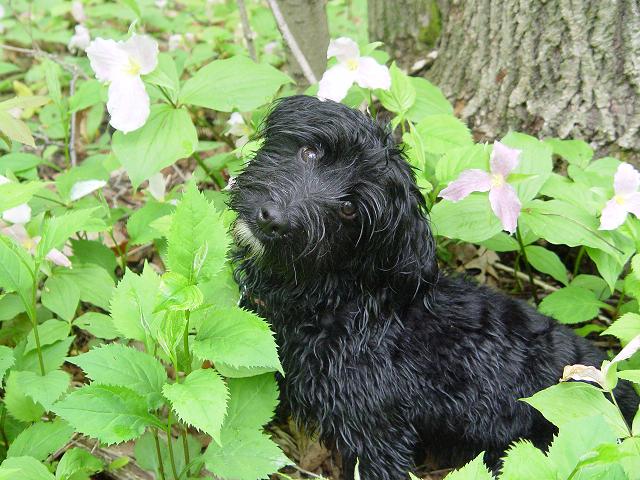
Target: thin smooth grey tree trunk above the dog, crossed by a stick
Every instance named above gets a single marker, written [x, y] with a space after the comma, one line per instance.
[307, 20]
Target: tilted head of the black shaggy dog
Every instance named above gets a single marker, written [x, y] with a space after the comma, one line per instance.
[329, 191]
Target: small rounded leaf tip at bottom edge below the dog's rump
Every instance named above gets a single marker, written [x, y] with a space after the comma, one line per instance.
[525, 462]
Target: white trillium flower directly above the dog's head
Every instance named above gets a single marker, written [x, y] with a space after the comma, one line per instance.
[351, 68]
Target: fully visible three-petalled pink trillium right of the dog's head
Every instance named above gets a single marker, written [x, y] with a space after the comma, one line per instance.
[502, 196]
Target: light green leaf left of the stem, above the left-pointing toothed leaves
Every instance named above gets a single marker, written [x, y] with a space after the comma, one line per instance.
[133, 304]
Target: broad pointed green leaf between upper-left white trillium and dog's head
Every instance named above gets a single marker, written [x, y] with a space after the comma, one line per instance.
[234, 83]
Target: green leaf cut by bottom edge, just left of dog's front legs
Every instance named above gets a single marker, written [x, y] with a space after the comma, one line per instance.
[244, 455]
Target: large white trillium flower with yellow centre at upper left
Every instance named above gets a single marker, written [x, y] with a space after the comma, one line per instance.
[121, 64]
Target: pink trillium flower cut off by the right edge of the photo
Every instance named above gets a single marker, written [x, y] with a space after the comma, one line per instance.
[626, 198]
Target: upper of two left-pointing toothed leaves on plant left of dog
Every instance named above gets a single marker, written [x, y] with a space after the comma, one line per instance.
[116, 364]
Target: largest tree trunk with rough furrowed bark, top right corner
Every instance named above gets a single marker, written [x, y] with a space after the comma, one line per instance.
[566, 68]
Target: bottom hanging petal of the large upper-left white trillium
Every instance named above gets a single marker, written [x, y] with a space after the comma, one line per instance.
[128, 103]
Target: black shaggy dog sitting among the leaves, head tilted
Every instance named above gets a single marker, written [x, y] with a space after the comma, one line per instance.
[384, 356]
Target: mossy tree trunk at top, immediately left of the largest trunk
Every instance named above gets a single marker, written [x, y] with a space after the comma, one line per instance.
[408, 28]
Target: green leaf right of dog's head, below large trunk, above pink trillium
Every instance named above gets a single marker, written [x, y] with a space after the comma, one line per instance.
[441, 133]
